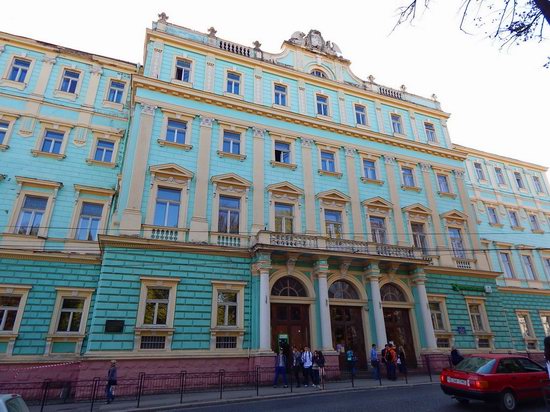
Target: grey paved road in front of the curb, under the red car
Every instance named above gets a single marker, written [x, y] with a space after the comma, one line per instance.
[427, 398]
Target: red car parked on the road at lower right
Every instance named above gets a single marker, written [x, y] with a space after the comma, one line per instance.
[503, 379]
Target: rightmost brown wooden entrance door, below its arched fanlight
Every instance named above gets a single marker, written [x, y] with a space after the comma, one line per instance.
[398, 330]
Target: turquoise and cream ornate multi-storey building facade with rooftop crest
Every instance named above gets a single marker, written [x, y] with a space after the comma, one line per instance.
[220, 199]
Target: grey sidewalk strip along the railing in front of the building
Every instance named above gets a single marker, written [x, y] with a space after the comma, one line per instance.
[172, 401]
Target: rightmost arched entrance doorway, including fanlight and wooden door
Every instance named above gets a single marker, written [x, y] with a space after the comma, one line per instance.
[396, 309]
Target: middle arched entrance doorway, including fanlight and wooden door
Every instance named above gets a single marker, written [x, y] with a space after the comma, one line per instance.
[346, 318]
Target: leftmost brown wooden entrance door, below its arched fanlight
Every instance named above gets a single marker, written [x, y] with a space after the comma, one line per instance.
[292, 320]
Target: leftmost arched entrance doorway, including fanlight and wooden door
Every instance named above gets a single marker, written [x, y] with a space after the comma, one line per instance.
[289, 313]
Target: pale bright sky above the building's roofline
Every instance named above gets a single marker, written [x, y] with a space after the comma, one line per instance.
[498, 99]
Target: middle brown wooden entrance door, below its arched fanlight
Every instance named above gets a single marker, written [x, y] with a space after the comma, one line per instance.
[347, 331]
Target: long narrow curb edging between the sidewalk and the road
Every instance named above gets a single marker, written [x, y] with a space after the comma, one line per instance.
[198, 404]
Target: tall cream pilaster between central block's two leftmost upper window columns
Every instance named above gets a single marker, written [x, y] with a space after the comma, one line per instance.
[198, 230]
